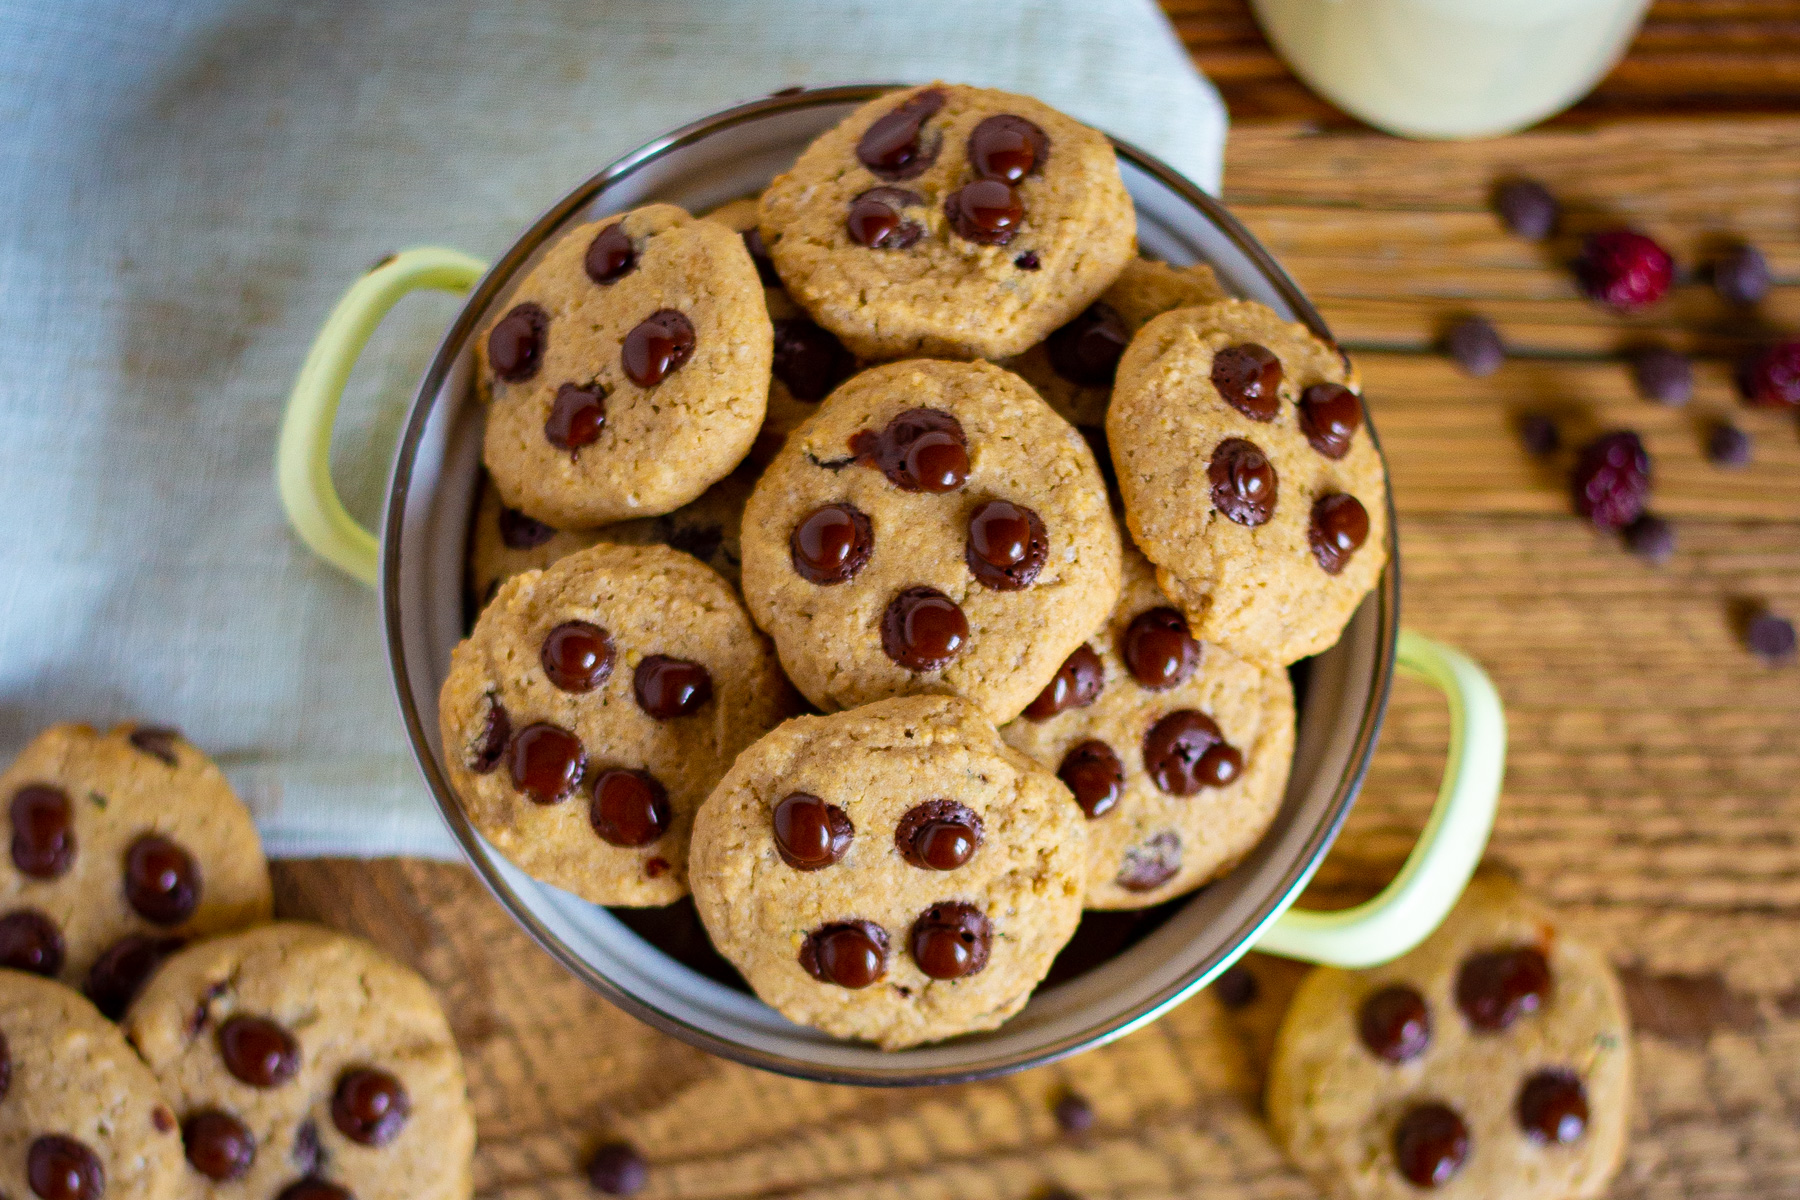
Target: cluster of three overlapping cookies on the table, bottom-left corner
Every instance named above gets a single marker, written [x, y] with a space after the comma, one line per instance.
[249, 1059]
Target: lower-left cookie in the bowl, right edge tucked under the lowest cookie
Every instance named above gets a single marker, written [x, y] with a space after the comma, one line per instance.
[593, 710]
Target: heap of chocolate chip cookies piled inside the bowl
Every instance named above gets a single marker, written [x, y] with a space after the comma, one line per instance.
[1032, 524]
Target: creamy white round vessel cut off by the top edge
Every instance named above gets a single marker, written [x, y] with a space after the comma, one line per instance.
[1452, 67]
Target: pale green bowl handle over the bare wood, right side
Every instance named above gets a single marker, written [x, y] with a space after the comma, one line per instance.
[1448, 850]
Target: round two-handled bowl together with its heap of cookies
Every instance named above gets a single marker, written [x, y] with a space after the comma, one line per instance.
[892, 586]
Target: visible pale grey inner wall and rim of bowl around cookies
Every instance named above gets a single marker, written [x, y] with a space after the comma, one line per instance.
[429, 512]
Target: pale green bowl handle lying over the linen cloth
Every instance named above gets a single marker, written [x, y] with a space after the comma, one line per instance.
[303, 458]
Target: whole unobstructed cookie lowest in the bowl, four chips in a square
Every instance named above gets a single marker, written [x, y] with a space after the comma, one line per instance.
[894, 873]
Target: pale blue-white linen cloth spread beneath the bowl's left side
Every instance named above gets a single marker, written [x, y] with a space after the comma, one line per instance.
[188, 188]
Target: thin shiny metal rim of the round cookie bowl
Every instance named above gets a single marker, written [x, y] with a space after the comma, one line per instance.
[471, 843]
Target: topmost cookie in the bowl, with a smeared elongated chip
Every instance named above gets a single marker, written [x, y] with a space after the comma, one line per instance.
[949, 222]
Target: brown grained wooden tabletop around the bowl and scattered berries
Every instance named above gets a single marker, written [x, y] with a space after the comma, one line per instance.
[1655, 776]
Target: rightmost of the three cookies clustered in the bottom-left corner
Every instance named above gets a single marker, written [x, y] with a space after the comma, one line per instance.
[307, 1066]
